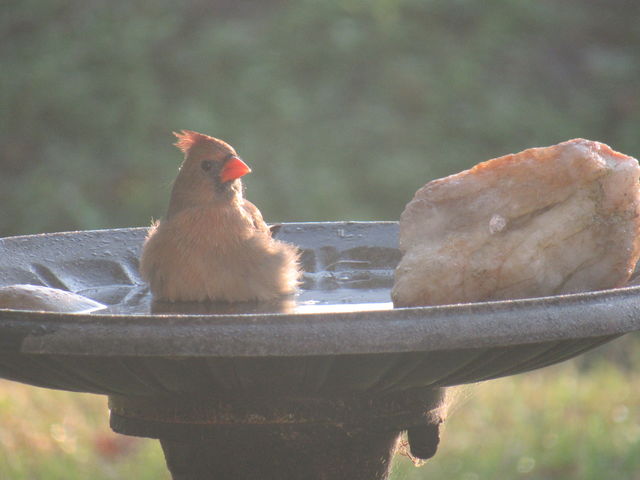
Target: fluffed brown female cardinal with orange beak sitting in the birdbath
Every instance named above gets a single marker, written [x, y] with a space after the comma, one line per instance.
[214, 244]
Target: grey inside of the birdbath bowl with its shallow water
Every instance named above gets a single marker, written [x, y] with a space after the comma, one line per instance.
[347, 267]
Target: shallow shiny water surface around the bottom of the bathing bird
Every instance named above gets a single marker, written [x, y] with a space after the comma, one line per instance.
[136, 300]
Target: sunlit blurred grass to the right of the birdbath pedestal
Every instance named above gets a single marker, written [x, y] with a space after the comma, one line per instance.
[576, 420]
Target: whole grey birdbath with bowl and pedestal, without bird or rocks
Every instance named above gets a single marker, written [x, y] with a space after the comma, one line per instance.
[318, 386]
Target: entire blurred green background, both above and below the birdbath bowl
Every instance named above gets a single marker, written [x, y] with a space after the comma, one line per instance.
[343, 109]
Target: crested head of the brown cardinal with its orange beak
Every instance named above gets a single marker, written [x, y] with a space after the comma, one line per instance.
[210, 172]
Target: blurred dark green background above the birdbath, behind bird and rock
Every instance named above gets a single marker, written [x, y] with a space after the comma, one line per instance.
[342, 108]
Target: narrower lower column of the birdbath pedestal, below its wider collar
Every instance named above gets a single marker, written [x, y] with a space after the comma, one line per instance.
[316, 453]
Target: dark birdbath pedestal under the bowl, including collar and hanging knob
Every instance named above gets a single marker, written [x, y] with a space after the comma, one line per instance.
[264, 437]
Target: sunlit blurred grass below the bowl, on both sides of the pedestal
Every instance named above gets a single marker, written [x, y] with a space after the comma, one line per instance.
[577, 420]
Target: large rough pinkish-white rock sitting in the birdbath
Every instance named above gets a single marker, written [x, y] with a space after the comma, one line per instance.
[545, 221]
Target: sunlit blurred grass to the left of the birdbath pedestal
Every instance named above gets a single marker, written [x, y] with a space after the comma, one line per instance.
[54, 435]
